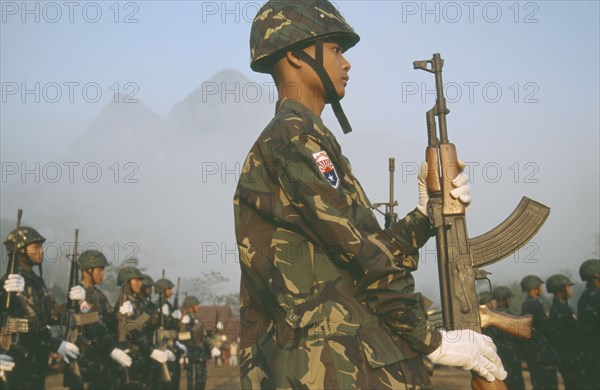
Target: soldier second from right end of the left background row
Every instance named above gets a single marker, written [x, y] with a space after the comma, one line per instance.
[171, 316]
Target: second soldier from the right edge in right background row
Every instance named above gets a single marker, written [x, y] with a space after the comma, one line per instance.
[563, 333]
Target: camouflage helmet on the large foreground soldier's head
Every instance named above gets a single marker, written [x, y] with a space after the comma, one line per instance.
[282, 25]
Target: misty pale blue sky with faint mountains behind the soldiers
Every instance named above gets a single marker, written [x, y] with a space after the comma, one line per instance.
[522, 83]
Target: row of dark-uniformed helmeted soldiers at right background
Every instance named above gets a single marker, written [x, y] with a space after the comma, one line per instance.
[563, 340]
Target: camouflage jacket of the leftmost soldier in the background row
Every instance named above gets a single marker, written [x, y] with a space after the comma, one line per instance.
[36, 305]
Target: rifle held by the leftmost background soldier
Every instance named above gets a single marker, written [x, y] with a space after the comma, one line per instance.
[11, 326]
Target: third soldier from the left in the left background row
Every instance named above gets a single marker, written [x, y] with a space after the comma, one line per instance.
[133, 322]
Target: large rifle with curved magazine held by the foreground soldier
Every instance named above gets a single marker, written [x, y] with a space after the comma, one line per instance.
[460, 258]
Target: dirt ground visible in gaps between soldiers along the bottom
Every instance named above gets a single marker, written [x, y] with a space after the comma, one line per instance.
[227, 378]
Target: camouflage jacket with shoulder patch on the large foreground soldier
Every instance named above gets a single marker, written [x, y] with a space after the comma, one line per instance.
[320, 278]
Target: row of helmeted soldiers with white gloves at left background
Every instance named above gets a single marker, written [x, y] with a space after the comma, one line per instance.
[137, 343]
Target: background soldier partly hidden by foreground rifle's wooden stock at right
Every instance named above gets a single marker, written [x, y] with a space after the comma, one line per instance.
[507, 345]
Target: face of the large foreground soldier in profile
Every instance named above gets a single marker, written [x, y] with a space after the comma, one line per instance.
[336, 66]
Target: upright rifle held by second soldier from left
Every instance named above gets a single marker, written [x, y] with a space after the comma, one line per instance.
[72, 375]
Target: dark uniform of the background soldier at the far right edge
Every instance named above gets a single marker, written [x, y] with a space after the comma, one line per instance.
[588, 311]
